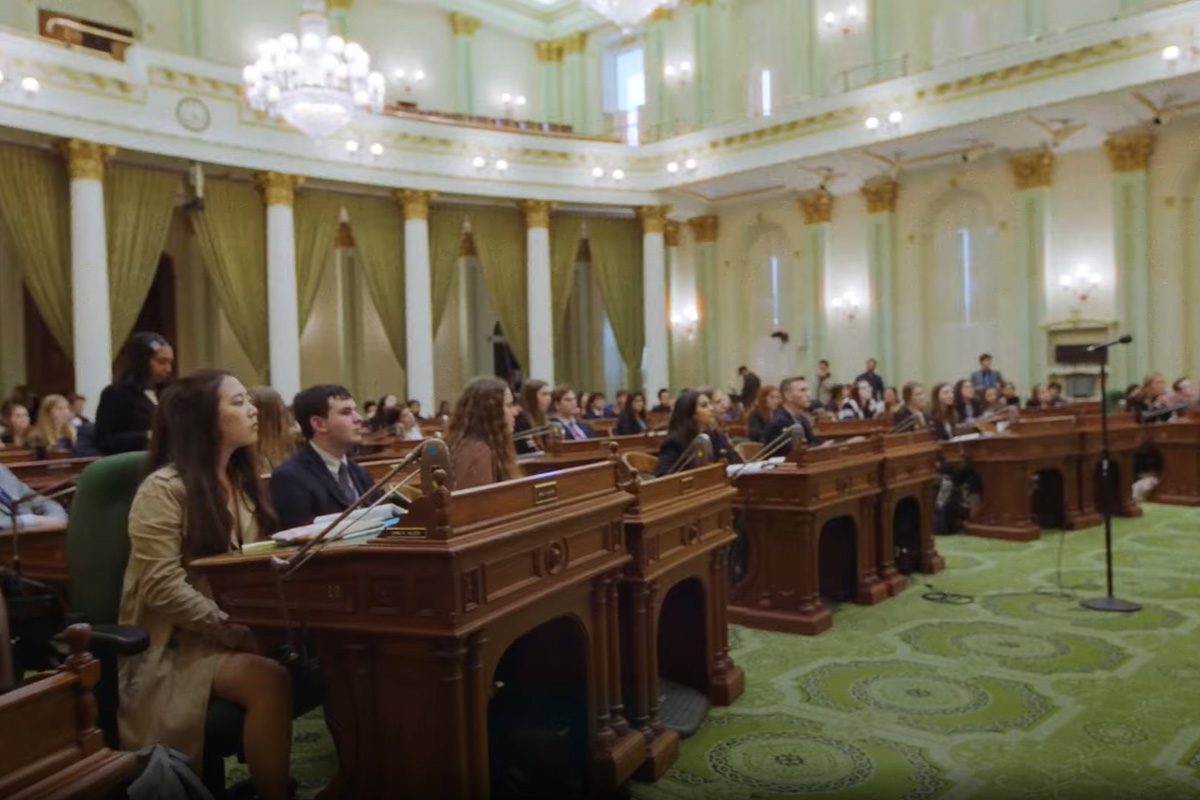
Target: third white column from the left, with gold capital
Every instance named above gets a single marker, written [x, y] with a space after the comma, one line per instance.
[418, 297]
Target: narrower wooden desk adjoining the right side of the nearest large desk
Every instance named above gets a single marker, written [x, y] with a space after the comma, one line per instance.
[674, 599]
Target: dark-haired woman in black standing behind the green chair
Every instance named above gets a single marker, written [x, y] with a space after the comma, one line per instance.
[127, 407]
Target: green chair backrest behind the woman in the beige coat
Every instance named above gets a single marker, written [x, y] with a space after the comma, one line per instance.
[99, 536]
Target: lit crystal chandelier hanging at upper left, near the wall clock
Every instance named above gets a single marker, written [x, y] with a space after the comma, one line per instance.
[315, 82]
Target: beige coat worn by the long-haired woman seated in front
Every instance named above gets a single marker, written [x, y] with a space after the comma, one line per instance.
[165, 691]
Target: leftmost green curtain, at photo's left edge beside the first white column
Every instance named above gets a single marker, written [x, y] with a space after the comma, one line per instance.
[35, 203]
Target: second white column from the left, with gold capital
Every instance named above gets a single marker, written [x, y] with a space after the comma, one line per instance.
[283, 312]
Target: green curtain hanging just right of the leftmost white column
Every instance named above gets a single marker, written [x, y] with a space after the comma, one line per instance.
[140, 204]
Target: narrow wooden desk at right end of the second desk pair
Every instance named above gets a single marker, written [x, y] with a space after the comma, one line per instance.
[909, 478]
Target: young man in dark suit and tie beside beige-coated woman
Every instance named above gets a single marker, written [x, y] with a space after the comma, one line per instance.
[321, 479]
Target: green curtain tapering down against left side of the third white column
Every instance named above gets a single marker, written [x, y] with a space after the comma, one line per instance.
[379, 228]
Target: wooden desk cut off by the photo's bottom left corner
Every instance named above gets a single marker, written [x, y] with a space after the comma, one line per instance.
[50, 744]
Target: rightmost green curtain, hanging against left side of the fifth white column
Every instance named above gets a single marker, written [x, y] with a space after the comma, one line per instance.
[616, 249]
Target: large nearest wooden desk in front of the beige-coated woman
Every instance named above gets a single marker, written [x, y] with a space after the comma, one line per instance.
[436, 639]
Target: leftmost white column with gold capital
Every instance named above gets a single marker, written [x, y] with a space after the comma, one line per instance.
[91, 315]
